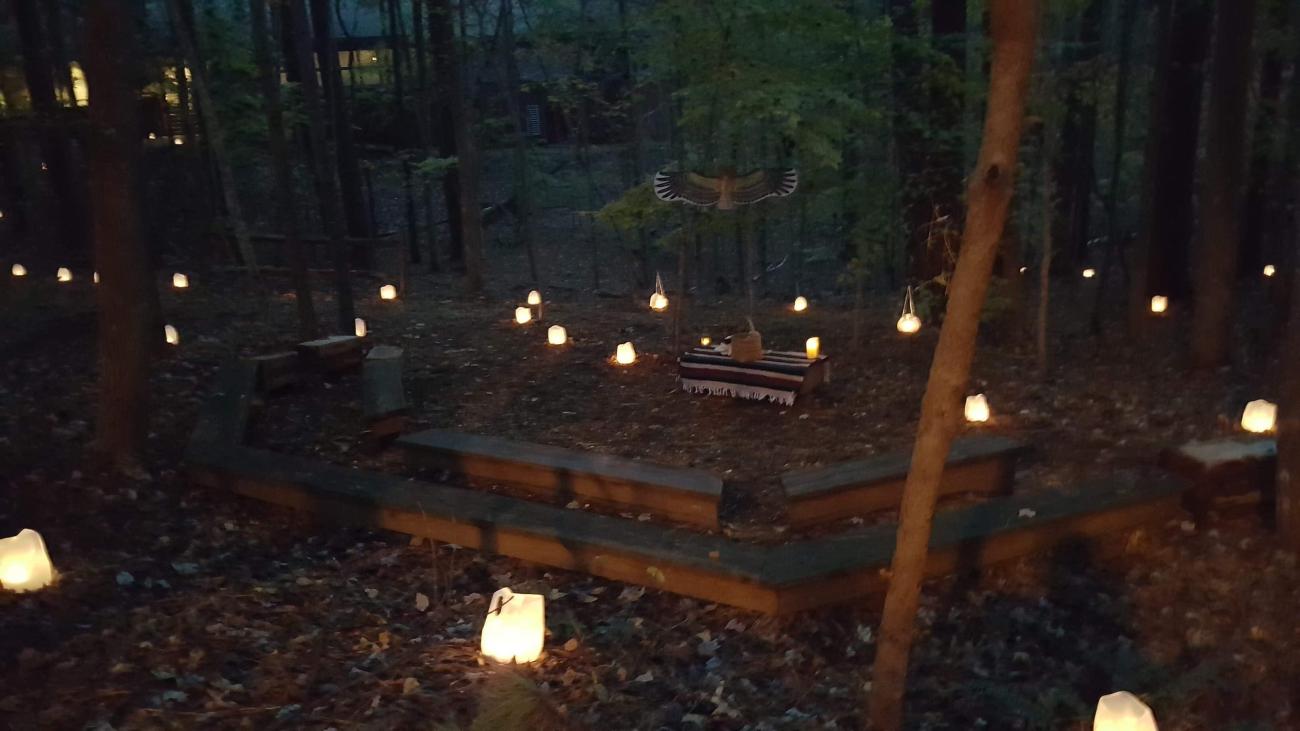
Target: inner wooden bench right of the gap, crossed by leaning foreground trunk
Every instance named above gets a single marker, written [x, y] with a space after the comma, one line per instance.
[982, 465]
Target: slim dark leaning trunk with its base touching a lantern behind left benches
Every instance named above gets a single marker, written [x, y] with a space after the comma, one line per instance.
[324, 166]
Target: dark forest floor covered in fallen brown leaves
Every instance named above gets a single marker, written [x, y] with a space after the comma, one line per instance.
[181, 608]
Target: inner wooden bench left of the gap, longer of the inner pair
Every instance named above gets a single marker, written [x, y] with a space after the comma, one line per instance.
[562, 475]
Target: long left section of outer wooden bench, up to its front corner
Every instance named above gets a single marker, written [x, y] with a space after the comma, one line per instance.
[707, 566]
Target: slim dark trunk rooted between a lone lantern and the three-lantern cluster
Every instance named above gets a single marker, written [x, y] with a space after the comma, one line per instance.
[450, 92]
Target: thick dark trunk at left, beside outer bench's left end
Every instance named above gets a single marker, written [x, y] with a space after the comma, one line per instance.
[128, 296]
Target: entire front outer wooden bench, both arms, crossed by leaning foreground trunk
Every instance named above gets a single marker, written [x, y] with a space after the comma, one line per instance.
[769, 579]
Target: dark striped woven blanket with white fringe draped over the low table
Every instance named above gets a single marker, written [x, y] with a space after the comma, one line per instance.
[781, 377]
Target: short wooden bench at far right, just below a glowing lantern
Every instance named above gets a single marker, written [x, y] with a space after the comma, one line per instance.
[1225, 474]
